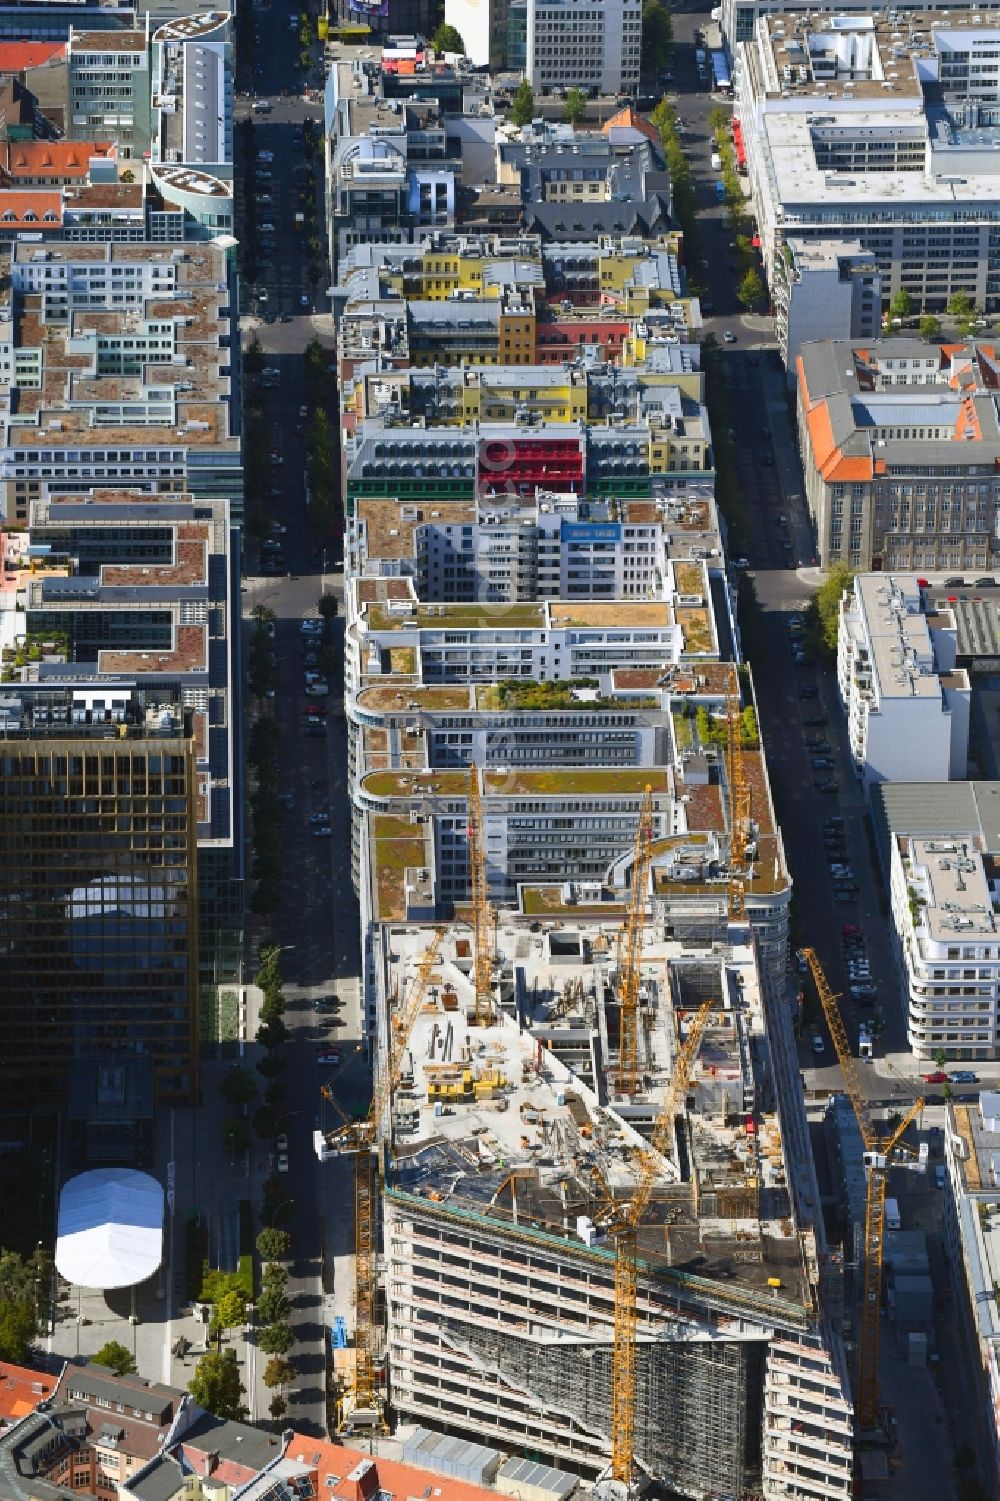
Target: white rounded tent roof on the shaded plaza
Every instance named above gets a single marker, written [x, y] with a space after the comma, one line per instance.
[110, 1229]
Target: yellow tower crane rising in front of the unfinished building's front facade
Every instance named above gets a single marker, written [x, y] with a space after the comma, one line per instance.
[622, 1223]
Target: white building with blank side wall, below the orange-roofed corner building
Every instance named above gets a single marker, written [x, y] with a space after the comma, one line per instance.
[906, 703]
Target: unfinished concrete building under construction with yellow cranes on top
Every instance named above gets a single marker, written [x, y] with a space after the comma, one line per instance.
[580, 1099]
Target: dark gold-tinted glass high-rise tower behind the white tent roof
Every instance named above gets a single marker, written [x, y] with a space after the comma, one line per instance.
[98, 891]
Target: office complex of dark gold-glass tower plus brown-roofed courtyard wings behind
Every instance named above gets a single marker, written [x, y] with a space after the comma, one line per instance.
[121, 643]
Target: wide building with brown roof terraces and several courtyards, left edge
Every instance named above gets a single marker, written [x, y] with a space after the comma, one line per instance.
[119, 361]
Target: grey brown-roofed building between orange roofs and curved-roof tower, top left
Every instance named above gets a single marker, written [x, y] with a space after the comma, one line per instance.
[110, 88]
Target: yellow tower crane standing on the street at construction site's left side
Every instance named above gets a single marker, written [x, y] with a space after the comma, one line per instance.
[361, 1140]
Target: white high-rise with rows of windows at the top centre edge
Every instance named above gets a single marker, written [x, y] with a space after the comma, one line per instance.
[583, 44]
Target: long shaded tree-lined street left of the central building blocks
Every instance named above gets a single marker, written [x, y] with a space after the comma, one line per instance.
[318, 924]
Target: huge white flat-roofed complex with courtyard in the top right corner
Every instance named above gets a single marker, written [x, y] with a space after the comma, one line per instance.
[872, 128]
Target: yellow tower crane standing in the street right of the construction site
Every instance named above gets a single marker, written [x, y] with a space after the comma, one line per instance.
[879, 1157]
